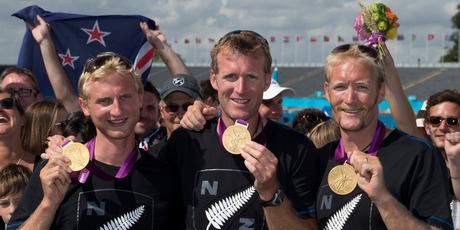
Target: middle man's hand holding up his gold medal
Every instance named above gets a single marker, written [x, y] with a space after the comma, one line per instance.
[263, 165]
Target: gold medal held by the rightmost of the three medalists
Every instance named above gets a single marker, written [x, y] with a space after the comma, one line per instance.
[342, 179]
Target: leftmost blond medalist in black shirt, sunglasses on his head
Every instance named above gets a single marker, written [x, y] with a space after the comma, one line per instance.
[123, 185]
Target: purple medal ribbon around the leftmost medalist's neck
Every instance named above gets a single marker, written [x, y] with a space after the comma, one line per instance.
[91, 167]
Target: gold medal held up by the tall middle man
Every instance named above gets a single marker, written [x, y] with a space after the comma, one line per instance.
[236, 137]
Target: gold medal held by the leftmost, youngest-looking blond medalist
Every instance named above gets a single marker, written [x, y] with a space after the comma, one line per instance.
[78, 155]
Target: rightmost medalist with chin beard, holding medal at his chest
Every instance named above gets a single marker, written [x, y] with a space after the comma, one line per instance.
[394, 179]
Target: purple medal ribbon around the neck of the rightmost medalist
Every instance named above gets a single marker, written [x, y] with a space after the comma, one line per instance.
[379, 135]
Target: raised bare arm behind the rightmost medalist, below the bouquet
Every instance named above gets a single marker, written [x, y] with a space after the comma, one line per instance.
[401, 110]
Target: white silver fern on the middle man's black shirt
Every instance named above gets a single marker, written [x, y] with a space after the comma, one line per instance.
[224, 209]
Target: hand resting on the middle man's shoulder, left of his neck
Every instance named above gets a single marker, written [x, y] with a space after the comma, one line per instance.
[196, 116]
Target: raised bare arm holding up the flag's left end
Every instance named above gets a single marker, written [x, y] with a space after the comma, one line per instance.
[59, 79]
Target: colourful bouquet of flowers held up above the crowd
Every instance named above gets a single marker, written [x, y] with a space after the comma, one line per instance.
[376, 21]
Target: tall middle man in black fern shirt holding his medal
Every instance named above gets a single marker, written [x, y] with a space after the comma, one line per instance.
[248, 190]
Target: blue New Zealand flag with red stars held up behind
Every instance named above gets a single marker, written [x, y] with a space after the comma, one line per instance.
[79, 37]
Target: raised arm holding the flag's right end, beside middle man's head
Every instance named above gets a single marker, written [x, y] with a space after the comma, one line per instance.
[157, 39]
